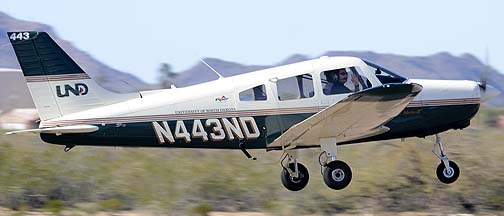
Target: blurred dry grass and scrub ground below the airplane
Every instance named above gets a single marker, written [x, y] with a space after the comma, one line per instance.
[389, 176]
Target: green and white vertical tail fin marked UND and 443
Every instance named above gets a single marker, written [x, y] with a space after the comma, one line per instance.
[57, 84]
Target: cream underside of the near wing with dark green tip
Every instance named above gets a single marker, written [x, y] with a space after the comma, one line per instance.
[360, 115]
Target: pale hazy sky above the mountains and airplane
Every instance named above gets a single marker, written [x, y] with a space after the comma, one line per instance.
[136, 36]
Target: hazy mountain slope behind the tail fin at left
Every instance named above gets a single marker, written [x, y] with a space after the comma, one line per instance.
[106, 76]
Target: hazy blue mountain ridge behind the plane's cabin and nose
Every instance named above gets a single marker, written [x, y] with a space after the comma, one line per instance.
[441, 65]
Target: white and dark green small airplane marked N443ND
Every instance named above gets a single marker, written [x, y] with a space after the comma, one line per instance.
[320, 103]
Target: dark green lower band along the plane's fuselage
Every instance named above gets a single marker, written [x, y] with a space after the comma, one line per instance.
[420, 121]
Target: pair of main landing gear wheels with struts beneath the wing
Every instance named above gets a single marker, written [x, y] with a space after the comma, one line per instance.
[336, 174]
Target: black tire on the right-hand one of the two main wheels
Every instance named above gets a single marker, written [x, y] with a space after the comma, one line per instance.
[337, 175]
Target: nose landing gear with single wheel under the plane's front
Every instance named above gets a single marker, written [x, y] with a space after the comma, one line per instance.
[447, 171]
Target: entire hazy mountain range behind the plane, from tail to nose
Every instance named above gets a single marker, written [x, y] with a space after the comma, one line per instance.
[14, 93]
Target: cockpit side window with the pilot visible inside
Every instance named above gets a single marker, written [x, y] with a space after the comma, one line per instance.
[343, 80]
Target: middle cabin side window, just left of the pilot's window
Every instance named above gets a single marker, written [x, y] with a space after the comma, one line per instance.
[296, 87]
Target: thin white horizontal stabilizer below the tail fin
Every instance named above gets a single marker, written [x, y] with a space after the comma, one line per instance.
[58, 130]
